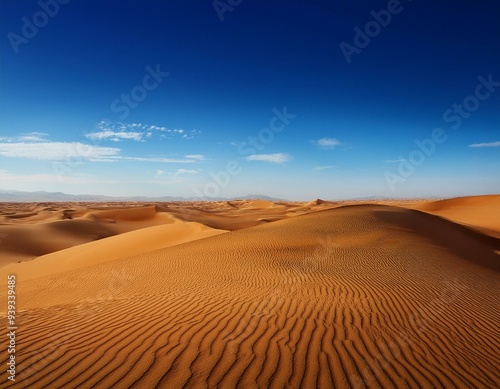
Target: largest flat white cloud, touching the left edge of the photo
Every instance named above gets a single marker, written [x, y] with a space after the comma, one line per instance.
[56, 151]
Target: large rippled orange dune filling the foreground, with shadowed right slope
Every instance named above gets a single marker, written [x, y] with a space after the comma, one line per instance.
[359, 296]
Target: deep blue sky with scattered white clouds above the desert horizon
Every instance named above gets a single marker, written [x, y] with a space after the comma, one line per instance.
[296, 100]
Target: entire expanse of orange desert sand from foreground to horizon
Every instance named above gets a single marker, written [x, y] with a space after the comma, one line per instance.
[255, 294]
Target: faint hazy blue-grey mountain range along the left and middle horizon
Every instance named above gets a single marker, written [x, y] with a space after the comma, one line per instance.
[47, 197]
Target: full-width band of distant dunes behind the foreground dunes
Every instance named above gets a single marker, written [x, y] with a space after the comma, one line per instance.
[35, 230]
